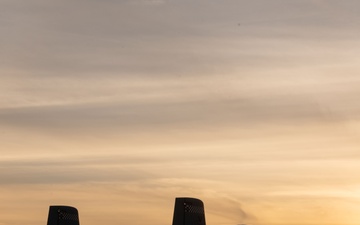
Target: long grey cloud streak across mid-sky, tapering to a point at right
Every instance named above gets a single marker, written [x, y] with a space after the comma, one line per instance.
[168, 114]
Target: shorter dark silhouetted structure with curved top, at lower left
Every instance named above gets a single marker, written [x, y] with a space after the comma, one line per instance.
[63, 215]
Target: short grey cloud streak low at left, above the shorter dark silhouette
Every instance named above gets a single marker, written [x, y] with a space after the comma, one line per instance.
[67, 171]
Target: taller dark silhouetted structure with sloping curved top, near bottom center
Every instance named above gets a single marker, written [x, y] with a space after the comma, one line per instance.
[189, 211]
